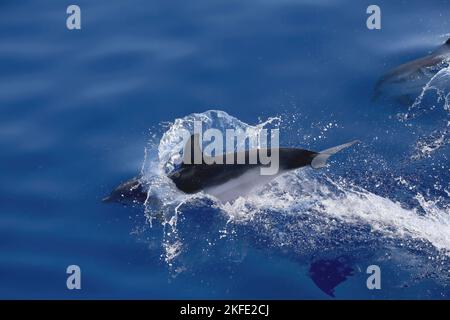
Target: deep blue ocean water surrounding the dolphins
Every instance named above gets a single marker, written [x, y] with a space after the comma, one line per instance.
[78, 109]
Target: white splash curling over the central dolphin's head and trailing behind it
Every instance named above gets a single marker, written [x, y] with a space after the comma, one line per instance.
[298, 196]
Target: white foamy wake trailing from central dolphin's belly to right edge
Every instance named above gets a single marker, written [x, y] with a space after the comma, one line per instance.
[303, 192]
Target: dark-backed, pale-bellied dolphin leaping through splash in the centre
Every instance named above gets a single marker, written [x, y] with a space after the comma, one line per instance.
[225, 181]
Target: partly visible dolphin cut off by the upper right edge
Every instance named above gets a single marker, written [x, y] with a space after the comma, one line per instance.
[406, 81]
